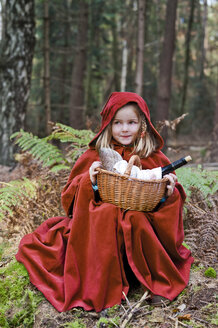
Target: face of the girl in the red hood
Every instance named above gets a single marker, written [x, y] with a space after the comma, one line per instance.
[126, 125]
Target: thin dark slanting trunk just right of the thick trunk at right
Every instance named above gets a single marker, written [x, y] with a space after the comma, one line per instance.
[187, 57]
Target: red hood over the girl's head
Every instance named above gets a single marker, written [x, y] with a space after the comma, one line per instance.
[117, 100]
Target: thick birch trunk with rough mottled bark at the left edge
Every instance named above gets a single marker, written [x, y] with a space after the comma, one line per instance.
[16, 53]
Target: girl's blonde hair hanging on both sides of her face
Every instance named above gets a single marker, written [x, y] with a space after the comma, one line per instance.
[143, 146]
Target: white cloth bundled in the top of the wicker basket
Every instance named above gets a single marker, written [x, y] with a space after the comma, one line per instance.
[156, 173]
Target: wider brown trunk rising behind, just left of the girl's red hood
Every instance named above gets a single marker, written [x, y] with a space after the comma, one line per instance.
[77, 90]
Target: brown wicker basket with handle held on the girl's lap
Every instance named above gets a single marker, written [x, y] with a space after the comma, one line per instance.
[130, 193]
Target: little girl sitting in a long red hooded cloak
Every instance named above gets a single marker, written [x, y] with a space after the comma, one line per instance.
[88, 259]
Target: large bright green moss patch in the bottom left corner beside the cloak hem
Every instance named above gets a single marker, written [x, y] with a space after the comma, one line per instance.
[18, 302]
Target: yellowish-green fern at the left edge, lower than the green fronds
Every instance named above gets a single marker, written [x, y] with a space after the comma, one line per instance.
[13, 193]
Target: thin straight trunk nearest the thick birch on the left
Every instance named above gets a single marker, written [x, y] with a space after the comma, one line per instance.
[47, 92]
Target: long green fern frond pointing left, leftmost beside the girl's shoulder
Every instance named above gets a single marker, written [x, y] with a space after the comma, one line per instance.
[40, 149]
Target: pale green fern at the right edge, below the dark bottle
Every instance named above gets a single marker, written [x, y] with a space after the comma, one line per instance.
[205, 181]
